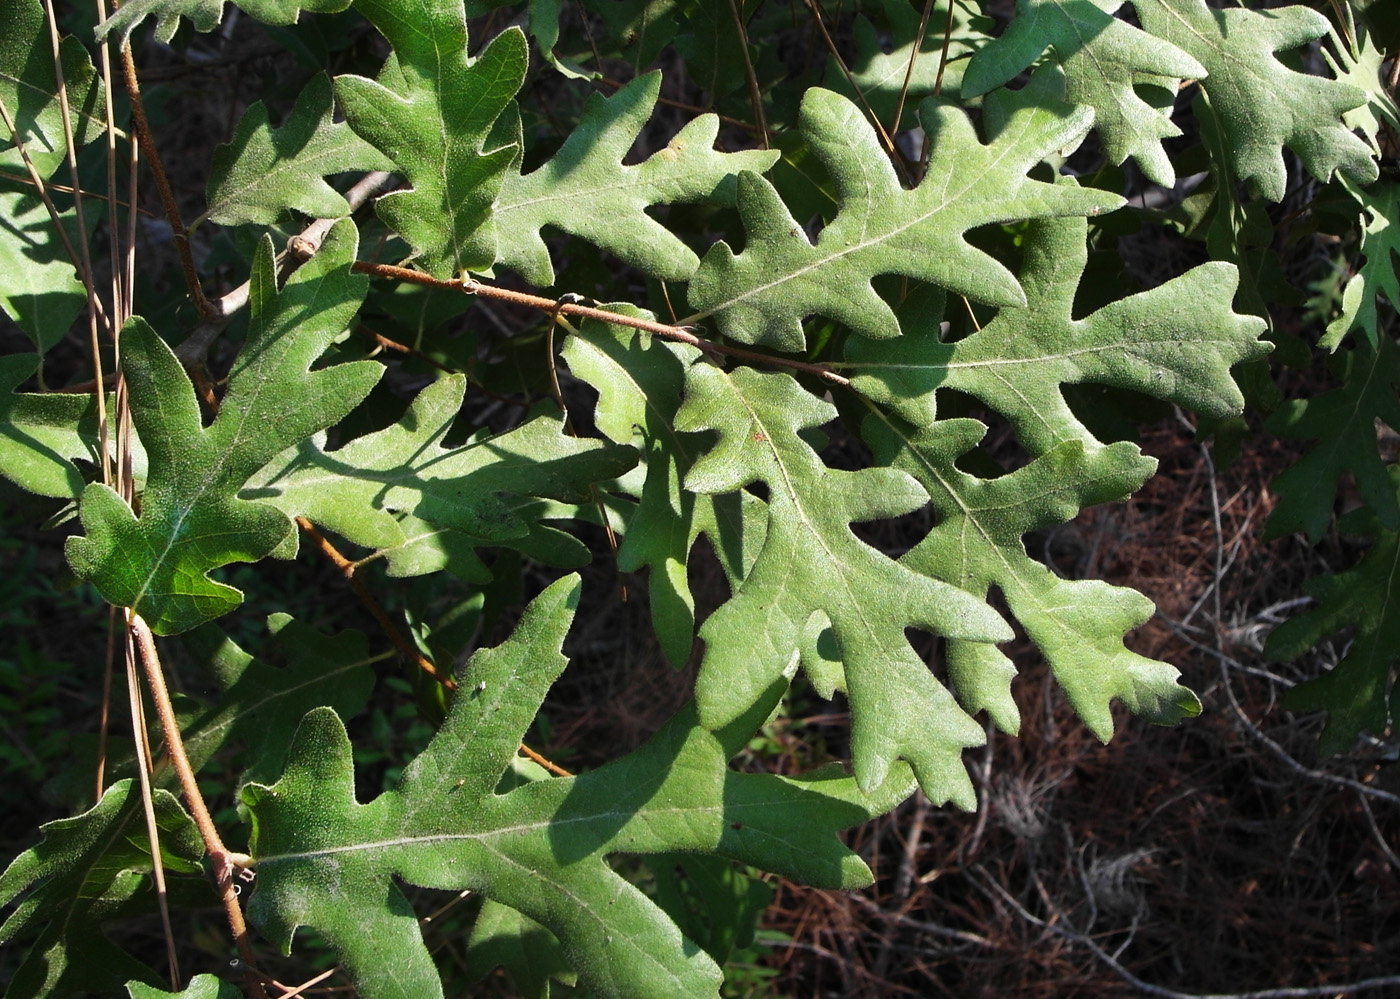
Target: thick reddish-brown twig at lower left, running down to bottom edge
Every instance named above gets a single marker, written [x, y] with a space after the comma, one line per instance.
[223, 860]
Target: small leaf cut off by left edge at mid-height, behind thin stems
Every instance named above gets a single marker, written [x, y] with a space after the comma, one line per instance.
[40, 434]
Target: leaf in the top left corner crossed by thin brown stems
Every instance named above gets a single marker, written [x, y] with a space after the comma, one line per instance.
[30, 90]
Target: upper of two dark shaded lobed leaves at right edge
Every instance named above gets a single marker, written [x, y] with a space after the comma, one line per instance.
[1345, 423]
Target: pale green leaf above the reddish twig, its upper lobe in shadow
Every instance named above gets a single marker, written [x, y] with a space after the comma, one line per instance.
[587, 192]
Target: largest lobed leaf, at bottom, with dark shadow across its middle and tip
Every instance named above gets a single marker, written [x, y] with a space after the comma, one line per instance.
[328, 863]
